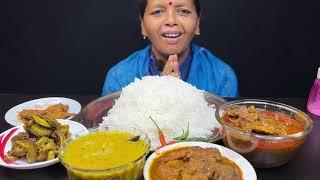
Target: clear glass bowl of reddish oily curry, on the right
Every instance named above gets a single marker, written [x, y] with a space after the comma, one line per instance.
[266, 133]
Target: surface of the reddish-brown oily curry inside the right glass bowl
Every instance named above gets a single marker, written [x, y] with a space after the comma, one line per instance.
[251, 119]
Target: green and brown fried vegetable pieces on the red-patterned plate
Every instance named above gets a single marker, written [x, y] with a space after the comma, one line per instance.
[38, 143]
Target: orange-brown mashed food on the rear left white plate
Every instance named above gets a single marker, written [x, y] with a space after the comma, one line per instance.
[56, 111]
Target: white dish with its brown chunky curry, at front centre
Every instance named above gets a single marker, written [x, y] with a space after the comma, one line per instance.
[194, 162]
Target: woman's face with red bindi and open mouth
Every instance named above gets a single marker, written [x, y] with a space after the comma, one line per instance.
[170, 25]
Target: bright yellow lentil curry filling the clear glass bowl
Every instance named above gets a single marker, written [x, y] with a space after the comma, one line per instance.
[103, 150]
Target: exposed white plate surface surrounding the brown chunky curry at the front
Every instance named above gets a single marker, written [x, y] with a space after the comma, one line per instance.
[248, 171]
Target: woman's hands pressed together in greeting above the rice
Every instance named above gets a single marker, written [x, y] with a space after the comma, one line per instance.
[171, 68]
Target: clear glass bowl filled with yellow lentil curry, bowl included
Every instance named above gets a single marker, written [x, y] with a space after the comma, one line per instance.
[109, 152]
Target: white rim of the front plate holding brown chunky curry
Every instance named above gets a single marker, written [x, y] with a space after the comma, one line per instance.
[222, 149]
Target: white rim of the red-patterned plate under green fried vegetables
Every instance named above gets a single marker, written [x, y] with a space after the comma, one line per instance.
[37, 164]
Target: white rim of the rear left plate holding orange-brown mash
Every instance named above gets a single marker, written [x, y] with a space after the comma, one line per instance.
[33, 101]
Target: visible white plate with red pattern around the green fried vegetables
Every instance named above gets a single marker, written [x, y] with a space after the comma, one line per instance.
[74, 127]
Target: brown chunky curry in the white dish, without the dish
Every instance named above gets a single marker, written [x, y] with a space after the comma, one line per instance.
[193, 163]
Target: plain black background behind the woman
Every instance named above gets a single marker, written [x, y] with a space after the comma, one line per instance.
[67, 46]
